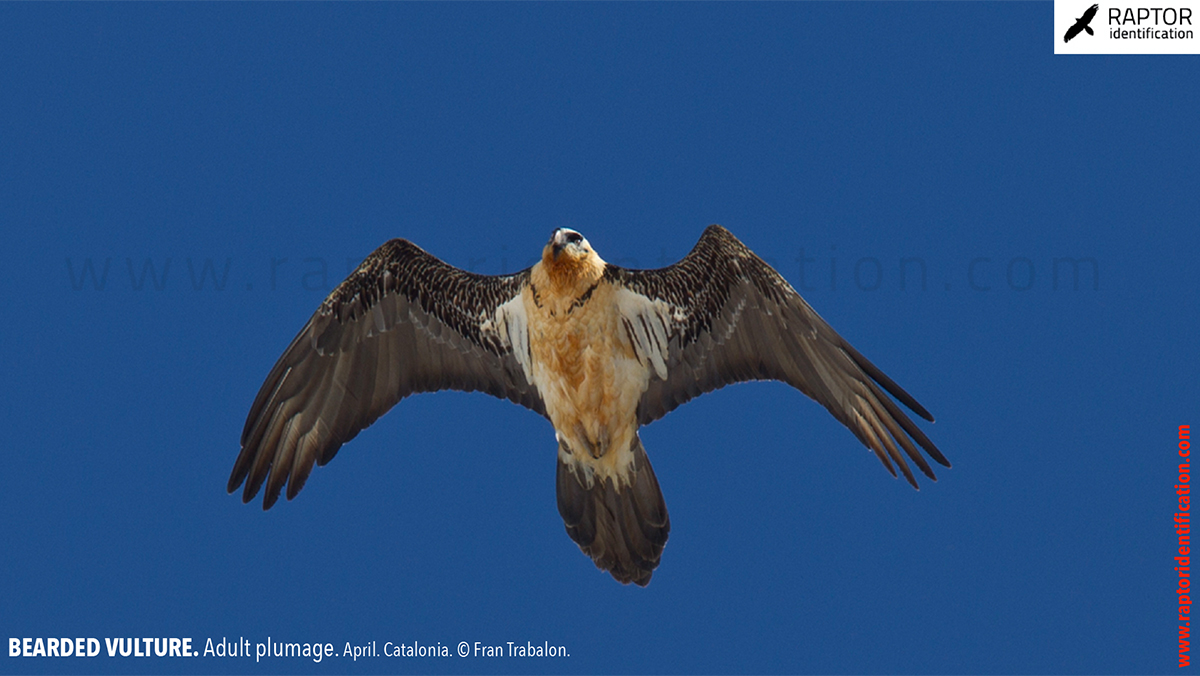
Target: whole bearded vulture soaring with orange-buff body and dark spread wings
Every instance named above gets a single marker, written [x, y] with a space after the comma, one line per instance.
[598, 350]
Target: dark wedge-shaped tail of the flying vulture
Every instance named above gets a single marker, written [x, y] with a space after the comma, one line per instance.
[623, 531]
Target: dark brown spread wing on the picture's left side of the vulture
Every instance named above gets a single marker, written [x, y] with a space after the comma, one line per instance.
[404, 322]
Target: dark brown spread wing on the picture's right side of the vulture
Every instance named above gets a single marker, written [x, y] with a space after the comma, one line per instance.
[724, 316]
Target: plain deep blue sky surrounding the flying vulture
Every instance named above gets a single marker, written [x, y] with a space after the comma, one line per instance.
[854, 146]
